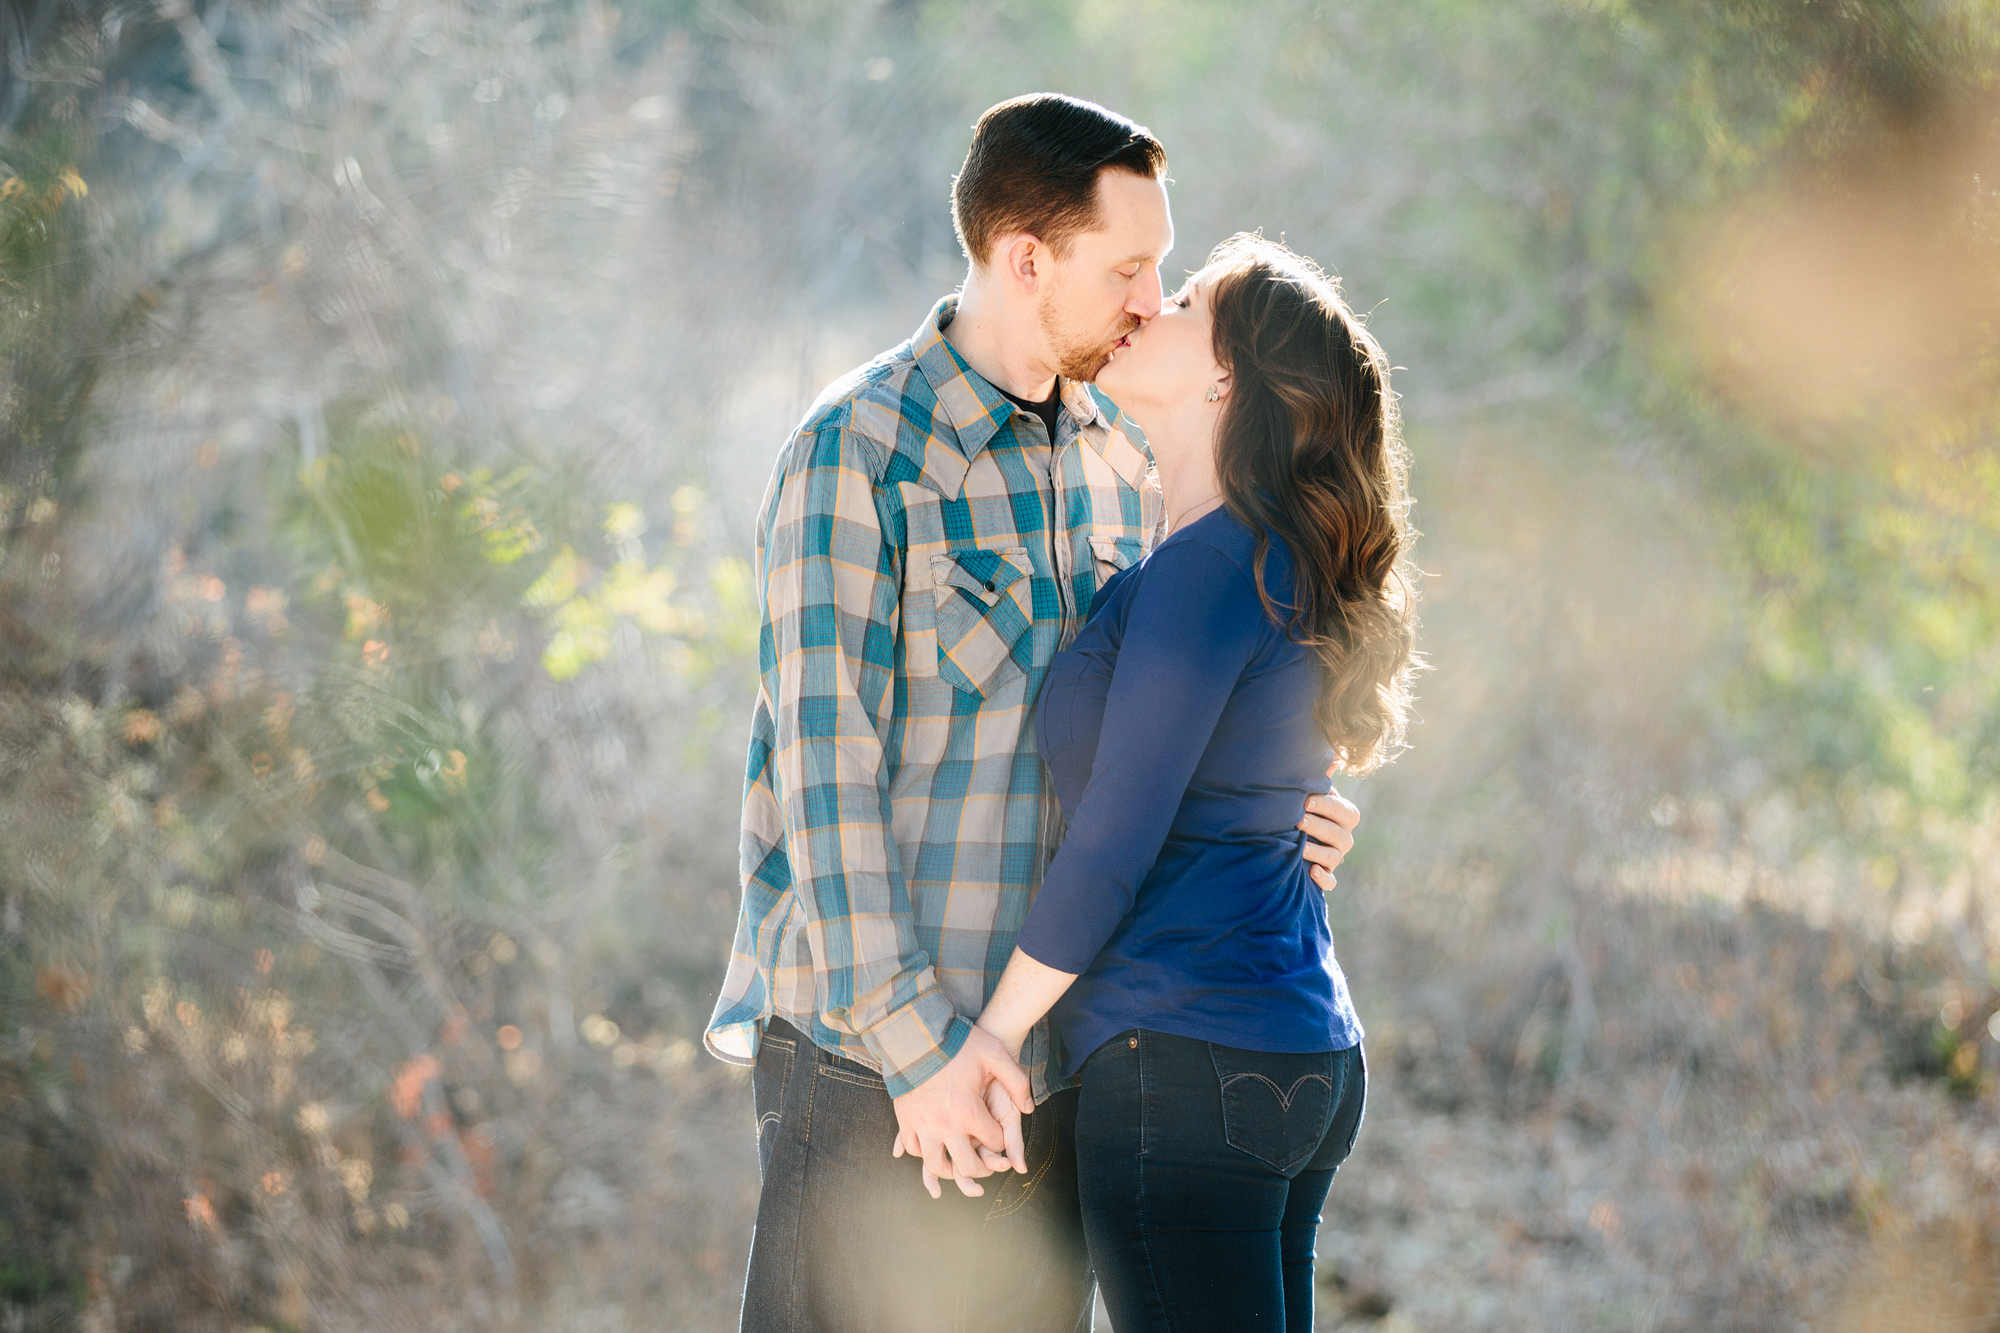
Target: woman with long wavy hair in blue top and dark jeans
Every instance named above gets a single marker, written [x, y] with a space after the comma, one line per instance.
[1177, 942]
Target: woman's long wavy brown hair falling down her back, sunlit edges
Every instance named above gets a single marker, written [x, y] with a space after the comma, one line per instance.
[1311, 449]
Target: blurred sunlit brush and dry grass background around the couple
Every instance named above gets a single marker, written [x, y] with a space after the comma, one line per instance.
[385, 397]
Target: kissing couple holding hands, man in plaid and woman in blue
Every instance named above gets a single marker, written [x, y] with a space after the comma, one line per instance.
[1033, 964]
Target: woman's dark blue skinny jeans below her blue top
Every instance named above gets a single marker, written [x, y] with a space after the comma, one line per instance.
[1203, 1172]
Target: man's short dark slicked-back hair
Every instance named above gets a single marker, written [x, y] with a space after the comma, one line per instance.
[1035, 167]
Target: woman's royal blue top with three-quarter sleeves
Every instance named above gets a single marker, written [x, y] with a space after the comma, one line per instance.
[1179, 736]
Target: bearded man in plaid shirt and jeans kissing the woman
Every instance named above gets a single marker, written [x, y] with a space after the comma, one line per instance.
[935, 531]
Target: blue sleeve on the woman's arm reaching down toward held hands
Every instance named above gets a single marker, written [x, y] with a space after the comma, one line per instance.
[1193, 625]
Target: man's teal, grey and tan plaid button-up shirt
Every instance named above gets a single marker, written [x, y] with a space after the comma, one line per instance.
[923, 553]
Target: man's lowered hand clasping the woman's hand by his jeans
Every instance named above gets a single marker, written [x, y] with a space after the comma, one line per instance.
[949, 1118]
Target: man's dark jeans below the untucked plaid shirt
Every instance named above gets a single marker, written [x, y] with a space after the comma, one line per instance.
[847, 1240]
